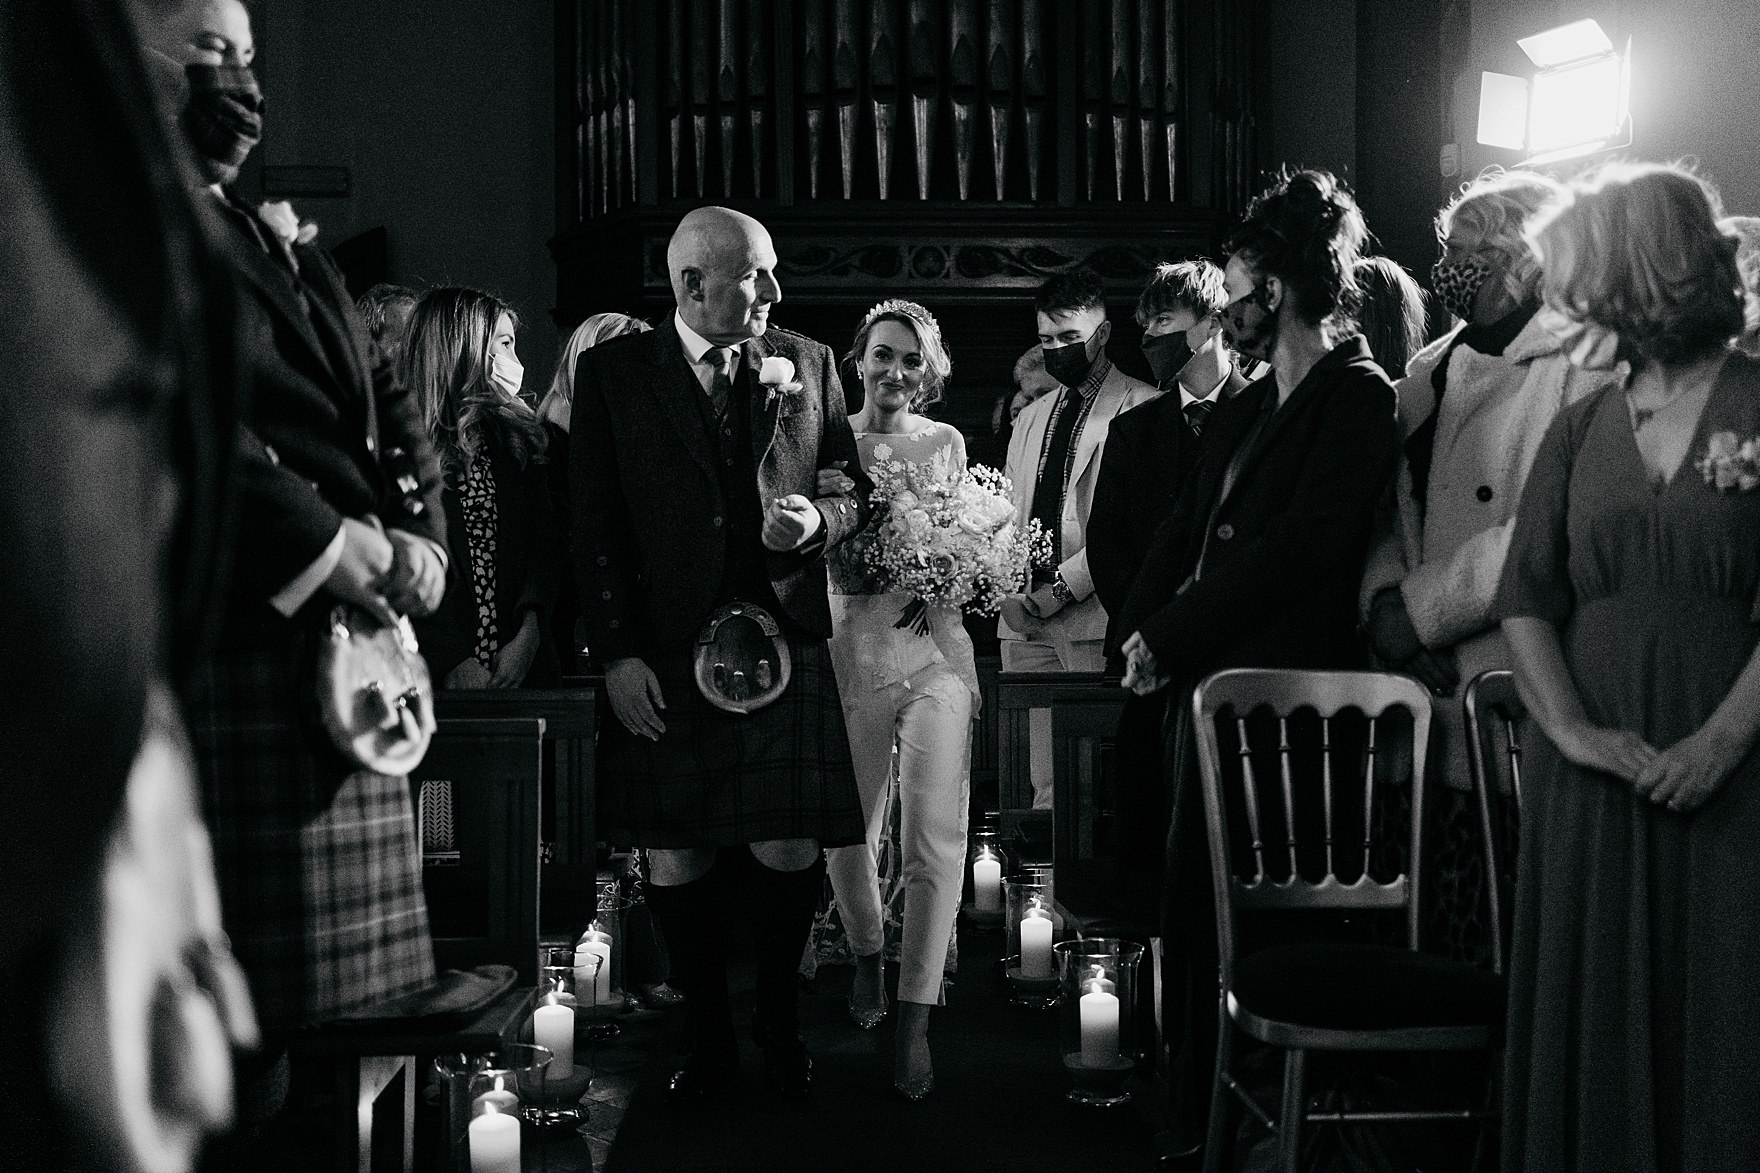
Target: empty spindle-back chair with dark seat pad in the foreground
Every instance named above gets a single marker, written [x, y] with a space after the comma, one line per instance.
[1268, 843]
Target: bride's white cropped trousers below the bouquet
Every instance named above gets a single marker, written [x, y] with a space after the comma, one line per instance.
[930, 718]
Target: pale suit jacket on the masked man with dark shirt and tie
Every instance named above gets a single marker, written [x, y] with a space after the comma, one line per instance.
[1085, 616]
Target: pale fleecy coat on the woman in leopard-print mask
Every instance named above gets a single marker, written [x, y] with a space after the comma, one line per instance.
[1449, 559]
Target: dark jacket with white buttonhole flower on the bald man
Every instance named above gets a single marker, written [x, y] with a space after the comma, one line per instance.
[649, 505]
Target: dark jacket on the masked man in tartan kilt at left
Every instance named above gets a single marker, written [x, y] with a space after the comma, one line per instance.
[325, 413]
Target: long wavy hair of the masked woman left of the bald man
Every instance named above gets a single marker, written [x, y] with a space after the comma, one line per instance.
[446, 367]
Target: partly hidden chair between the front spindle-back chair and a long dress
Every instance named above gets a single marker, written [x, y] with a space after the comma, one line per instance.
[1495, 755]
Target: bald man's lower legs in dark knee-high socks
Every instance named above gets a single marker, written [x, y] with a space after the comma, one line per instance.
[694, 920]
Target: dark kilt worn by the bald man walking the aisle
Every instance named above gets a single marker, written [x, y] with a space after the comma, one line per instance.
[722, 779]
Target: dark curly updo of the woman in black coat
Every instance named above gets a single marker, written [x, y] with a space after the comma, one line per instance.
[1307, 232]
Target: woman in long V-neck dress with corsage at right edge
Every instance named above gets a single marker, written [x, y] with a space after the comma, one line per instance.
[1629, 603]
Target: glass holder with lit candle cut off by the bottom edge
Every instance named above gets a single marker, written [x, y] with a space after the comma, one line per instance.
[487, 1107]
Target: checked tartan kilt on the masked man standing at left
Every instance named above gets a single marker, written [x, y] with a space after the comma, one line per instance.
[319, 864]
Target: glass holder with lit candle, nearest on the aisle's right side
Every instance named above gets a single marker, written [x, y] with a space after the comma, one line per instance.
[1097, 984]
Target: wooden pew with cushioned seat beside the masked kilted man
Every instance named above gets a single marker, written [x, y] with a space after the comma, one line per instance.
[495, 772]
